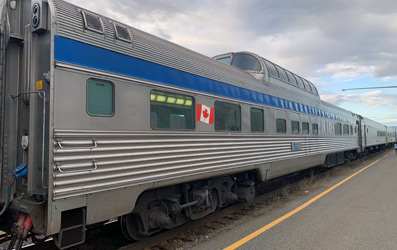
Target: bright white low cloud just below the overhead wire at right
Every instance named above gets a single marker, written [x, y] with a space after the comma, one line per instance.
[372, 100]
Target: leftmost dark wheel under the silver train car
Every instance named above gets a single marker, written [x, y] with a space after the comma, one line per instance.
[132, 227]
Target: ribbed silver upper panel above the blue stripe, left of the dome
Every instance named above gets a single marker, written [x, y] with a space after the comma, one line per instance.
[146, 47]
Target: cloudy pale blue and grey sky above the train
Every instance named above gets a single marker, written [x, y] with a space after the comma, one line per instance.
[333, 43]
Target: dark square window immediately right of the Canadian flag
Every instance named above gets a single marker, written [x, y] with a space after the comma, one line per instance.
[227, 117]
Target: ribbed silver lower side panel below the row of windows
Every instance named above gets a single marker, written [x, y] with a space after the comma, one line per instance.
[127, 159]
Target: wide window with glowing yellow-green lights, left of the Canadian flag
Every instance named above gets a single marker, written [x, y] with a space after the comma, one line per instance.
[171, 111]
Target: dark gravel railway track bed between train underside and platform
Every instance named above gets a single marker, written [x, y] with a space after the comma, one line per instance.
[109, 236]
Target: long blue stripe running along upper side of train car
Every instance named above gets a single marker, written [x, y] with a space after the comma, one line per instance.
[78, 53]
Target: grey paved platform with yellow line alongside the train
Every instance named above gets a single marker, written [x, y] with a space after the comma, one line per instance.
[360, 213]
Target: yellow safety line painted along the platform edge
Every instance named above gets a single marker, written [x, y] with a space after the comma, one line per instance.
[296, 210]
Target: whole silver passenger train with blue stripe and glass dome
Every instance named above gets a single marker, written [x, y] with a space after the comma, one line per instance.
[100, 120]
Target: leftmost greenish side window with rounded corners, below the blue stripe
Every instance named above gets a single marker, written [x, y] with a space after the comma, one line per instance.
[100, 95]
